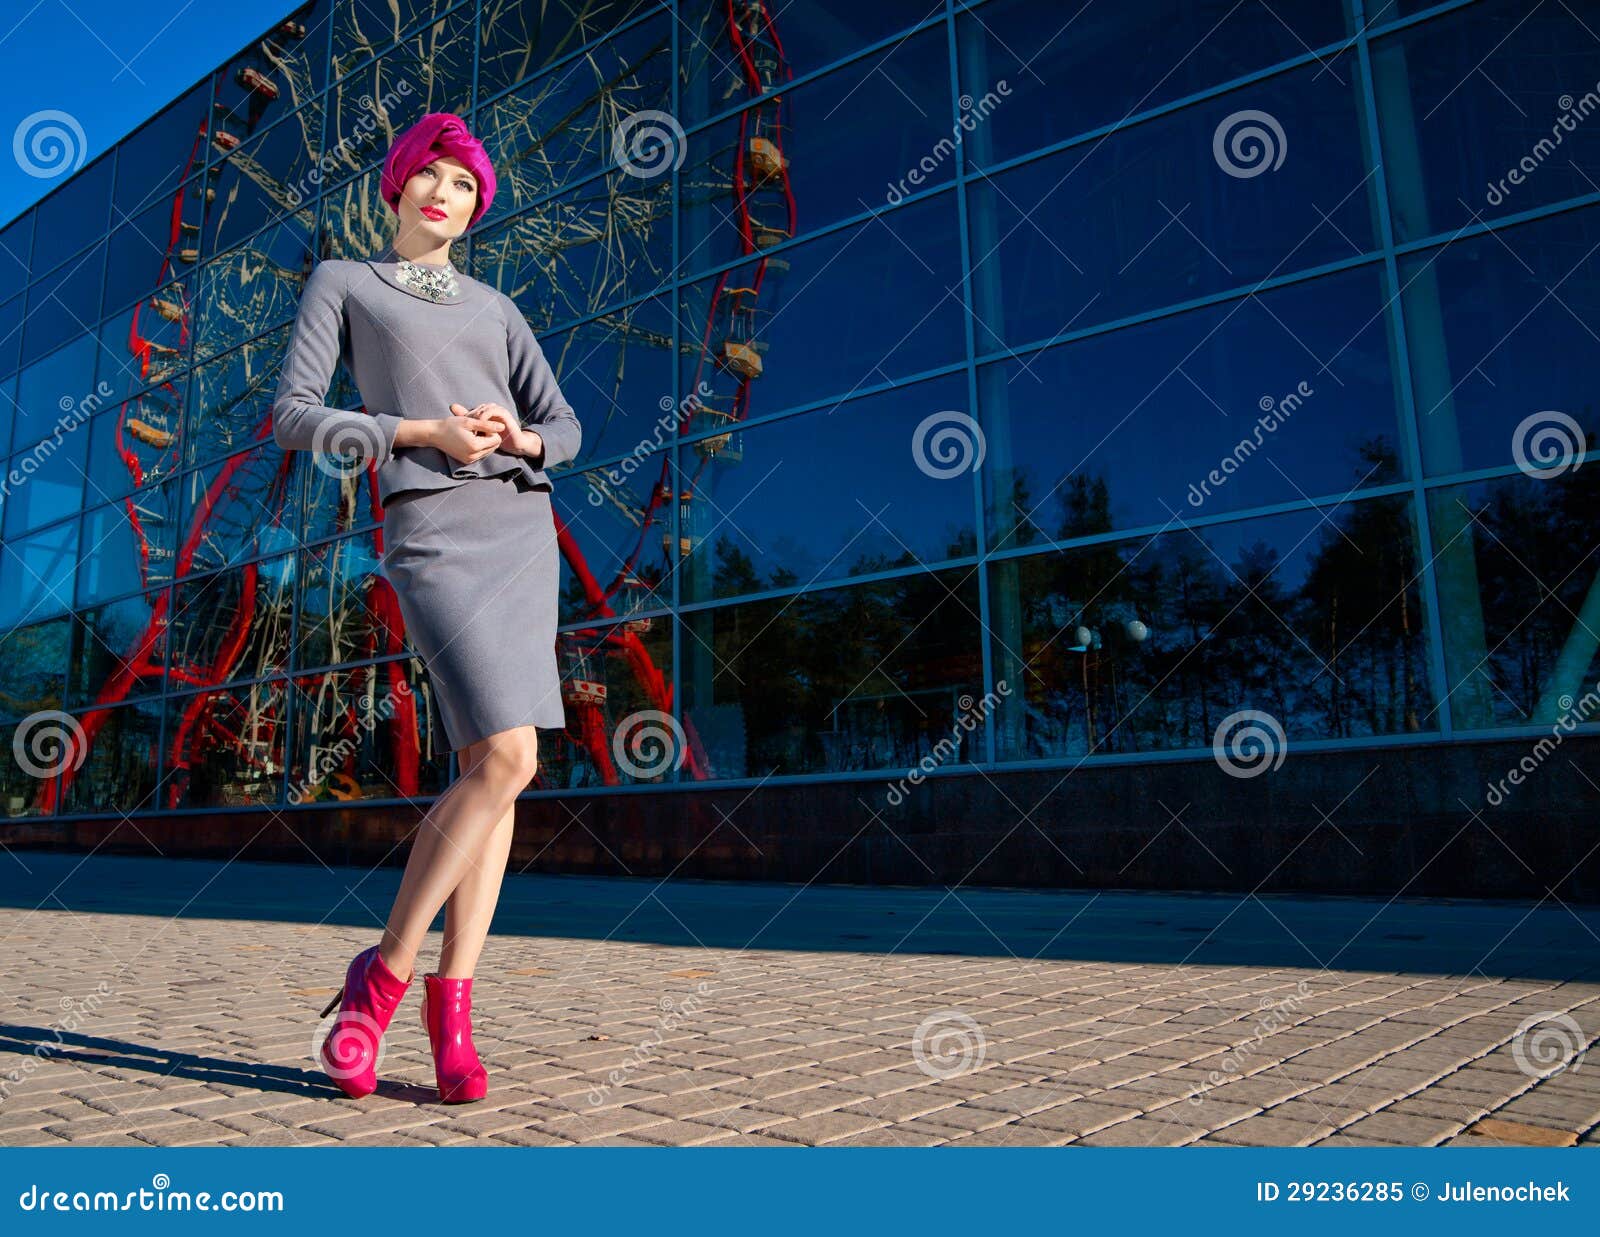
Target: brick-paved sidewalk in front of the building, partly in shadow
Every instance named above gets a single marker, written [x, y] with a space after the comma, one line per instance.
[175, 1003]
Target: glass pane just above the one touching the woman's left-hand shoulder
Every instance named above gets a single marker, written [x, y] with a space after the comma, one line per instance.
[266, 178]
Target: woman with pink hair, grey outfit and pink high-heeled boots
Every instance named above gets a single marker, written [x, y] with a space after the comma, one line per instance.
[449, 372]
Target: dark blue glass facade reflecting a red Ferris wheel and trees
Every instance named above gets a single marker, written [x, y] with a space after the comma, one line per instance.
[1127, 367]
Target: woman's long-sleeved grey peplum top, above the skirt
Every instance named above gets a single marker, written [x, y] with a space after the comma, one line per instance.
[414, 358]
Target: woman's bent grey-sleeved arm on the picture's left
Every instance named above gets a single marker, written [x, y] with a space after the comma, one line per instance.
[300, 418]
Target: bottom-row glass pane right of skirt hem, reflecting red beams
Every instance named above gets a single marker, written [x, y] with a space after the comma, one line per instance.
[617, 684]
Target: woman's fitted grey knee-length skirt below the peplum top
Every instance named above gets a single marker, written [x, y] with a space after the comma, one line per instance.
[476, 570]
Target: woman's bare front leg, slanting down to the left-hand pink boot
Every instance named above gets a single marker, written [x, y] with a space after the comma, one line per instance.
[455, 838]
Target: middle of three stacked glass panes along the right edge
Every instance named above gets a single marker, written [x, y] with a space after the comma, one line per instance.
[1503, 353]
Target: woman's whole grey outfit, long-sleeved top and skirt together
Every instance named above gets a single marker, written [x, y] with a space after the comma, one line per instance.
[470, 550]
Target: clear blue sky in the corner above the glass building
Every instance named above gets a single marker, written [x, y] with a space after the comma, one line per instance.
[111, 65]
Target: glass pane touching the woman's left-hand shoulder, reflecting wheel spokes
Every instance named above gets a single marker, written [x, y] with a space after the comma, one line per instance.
[250, 289]
